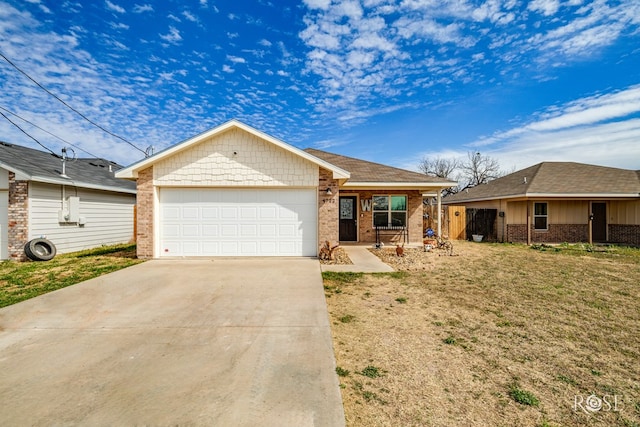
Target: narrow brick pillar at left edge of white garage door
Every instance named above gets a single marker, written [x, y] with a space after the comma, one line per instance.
[144, 209]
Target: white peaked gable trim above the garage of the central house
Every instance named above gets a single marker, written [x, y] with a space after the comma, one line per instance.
[131, 171]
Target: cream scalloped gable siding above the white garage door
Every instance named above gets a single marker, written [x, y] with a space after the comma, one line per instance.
[235, 158]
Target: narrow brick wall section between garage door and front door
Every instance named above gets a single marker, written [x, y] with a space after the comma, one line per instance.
[327, 208]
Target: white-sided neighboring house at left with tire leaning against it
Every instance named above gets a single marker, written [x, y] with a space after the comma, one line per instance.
[86, 208]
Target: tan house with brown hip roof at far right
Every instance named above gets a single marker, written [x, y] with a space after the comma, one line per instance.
[555, 202]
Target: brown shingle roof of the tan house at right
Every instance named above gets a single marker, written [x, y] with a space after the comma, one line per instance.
[556, 179]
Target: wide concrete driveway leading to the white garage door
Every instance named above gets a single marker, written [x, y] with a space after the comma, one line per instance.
[225, 342]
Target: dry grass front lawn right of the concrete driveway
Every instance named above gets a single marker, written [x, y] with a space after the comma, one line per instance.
[499, 335]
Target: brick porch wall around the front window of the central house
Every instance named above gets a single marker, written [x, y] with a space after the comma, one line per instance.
[366, 231]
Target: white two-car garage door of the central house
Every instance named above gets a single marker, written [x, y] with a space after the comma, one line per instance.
[239, 222]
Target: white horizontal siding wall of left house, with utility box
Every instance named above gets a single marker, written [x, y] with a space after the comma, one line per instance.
[109, 217]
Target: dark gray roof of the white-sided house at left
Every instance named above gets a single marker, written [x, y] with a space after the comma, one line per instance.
[35, 165]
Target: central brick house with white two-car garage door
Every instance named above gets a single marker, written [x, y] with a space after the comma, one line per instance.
[235, 191]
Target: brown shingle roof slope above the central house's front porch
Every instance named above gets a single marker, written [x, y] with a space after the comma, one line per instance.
[364, 171]
